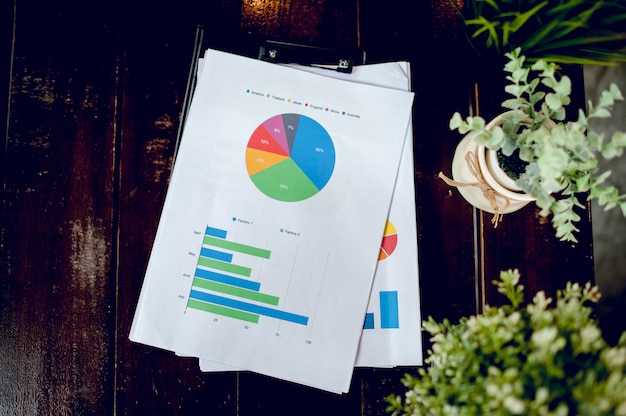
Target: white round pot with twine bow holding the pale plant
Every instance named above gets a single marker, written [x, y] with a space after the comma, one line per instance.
[481, 181]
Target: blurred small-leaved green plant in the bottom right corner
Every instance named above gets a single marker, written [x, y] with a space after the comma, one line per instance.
[537, 359]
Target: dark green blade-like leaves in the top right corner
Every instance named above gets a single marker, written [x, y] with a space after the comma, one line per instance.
[564, 31]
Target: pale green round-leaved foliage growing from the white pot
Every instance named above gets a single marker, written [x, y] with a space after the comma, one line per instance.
[562, 155]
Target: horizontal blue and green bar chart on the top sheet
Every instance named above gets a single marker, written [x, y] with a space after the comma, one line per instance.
[222, 287]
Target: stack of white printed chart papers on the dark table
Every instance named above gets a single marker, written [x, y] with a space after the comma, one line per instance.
[270, 236]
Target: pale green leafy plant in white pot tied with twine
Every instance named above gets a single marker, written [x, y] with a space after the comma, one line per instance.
[558, 158]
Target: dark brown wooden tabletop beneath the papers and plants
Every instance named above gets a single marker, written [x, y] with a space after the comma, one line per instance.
[92, 96]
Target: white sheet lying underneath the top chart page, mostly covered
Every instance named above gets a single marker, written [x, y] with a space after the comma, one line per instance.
[392, 330]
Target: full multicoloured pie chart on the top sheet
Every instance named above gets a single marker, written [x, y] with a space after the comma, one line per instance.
[290, 157]
